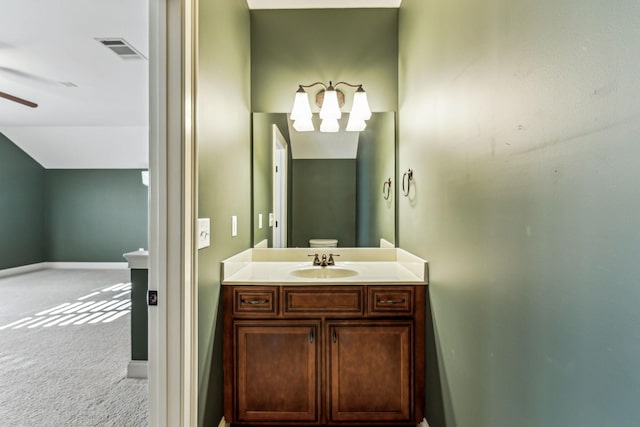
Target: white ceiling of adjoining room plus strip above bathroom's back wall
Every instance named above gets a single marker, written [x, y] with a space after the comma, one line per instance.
[102, 120]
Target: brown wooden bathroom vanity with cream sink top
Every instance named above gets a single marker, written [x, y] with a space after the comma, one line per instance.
[336, 345]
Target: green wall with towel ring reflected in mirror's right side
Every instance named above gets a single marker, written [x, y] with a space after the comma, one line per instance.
[376, 162]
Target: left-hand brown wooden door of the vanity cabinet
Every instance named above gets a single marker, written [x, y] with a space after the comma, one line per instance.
[277, 371]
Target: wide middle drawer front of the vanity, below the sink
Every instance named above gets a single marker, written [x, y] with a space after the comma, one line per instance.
[343, 299]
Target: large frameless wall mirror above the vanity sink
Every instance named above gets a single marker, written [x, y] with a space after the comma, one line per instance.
[323, 188]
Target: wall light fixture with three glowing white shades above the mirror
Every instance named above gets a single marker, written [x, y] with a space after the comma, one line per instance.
[330, 100]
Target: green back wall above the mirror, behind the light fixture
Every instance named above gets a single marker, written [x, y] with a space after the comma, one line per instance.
[291, 47]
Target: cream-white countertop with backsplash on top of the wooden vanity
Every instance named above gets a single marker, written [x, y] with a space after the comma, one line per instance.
[256, 268]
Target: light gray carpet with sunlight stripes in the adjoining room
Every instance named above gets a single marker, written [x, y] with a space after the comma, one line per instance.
[64, 350]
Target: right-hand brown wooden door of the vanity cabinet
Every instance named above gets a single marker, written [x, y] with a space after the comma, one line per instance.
[370, 371]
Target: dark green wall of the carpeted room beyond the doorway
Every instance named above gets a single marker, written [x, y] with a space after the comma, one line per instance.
[67, 215]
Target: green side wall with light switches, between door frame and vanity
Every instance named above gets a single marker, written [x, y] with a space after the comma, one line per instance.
[224, 144]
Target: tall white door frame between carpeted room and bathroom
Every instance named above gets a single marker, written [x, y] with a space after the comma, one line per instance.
[172, 206]
